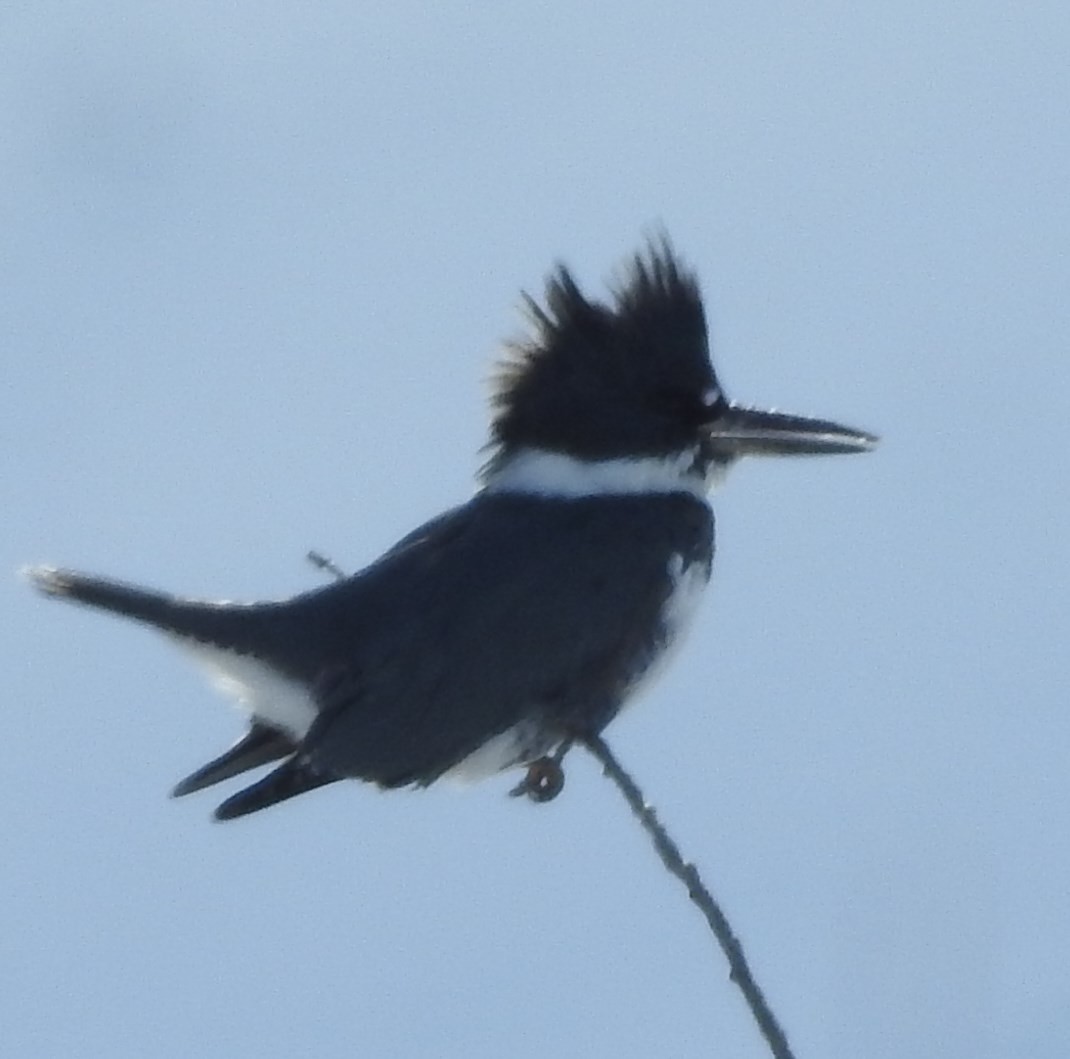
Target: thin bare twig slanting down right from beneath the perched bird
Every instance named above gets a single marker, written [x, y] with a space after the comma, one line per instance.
[669, 852]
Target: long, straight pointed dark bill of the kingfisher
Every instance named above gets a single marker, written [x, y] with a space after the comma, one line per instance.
[740, 432]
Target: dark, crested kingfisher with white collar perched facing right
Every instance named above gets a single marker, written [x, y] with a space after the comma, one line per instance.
[525, 619]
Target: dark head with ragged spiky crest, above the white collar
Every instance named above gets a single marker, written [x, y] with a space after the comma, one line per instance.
[590, 373]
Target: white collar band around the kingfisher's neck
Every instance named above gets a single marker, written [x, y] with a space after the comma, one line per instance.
[554, 474]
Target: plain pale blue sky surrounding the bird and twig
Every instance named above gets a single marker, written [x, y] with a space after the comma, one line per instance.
[256, 262]
